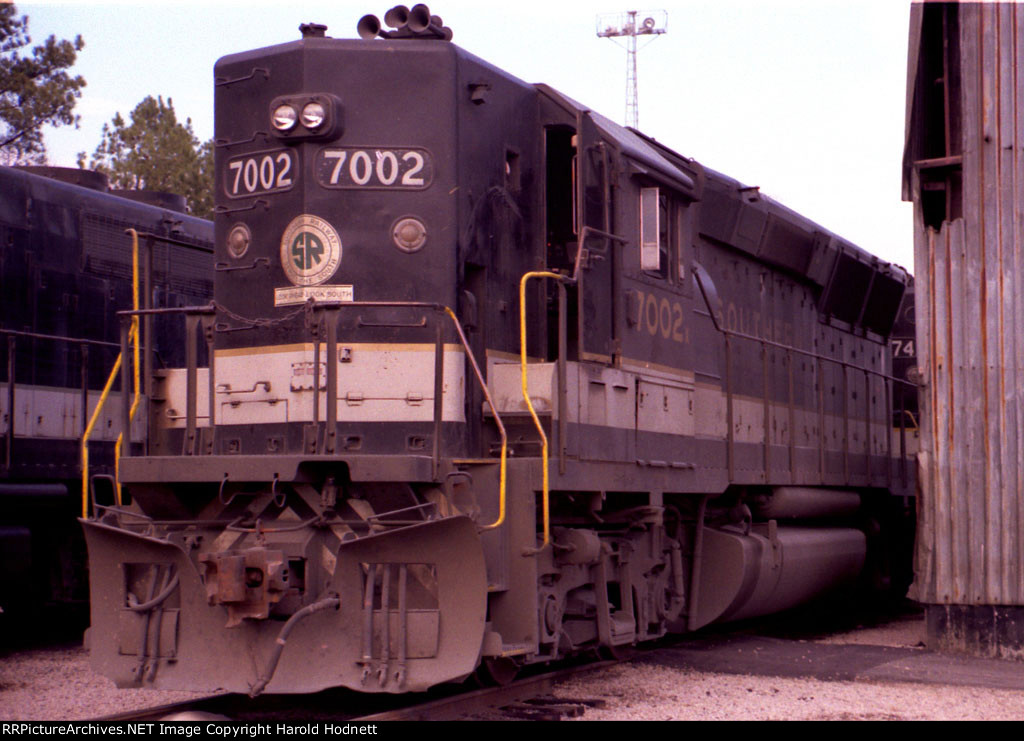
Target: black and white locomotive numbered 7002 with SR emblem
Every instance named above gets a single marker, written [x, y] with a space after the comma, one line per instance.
[491, 380]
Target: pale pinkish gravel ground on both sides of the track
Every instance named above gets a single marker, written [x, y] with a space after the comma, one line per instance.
[58, 684]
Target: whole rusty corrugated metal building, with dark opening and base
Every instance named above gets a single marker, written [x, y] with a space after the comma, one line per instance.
[964, 169]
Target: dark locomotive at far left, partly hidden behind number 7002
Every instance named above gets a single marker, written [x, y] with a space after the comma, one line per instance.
[66, 268]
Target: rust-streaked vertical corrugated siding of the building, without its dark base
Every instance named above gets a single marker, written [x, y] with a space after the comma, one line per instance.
[971, 529]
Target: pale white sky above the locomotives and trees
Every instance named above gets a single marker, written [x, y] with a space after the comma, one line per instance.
[804, 99]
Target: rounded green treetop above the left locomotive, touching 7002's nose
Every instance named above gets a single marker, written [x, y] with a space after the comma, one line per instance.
[157, 153]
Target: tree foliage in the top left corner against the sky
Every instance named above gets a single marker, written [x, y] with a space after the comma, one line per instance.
[35, 88]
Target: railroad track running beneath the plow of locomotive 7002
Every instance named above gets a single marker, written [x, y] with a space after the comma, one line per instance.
[529, 699]
